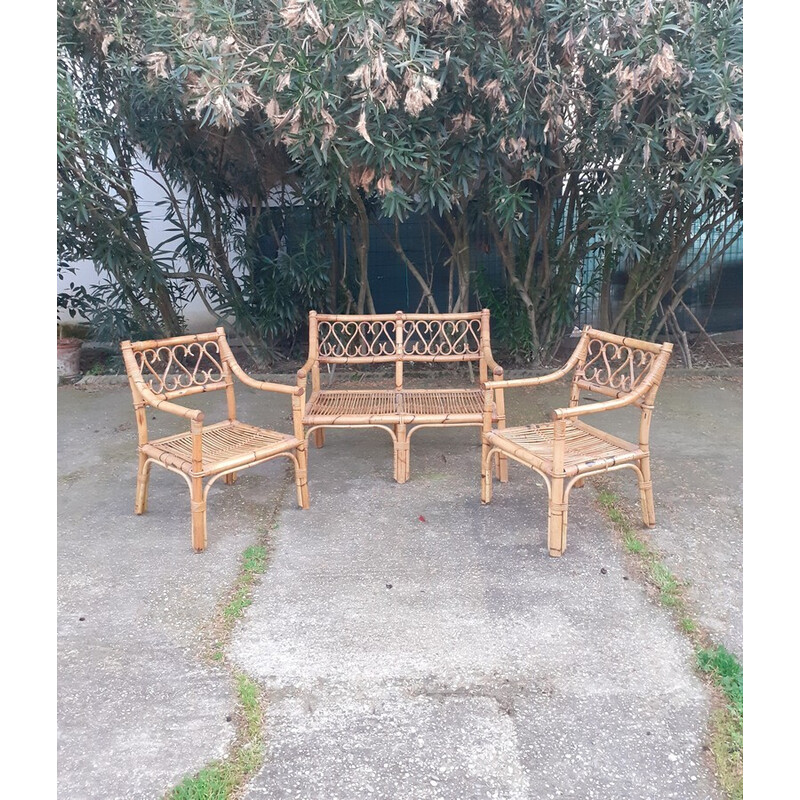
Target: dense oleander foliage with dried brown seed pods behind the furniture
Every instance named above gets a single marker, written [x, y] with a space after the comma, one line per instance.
[562, 127]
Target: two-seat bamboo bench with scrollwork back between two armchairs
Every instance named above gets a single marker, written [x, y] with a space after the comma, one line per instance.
[399, 339]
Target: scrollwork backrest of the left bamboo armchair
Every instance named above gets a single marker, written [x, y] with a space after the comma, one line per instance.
[178, 369]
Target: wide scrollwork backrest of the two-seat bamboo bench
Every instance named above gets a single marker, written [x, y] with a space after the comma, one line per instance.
[420, 337]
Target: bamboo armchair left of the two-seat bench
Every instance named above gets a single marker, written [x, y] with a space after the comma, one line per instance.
[162, 370]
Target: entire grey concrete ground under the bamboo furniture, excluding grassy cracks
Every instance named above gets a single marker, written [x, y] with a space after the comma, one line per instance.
[411, 643]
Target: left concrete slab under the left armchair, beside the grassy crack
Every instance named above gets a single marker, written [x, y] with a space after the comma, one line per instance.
[138, 708]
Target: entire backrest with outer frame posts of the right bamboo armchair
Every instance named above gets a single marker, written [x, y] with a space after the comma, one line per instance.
[616, 366]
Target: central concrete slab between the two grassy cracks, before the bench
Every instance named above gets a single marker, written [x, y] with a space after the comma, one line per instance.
[452, 657]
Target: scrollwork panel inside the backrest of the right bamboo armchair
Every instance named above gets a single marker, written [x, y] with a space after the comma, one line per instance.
[615, 366]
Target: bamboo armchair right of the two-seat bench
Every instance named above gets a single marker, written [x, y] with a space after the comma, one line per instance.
[566, 450]
